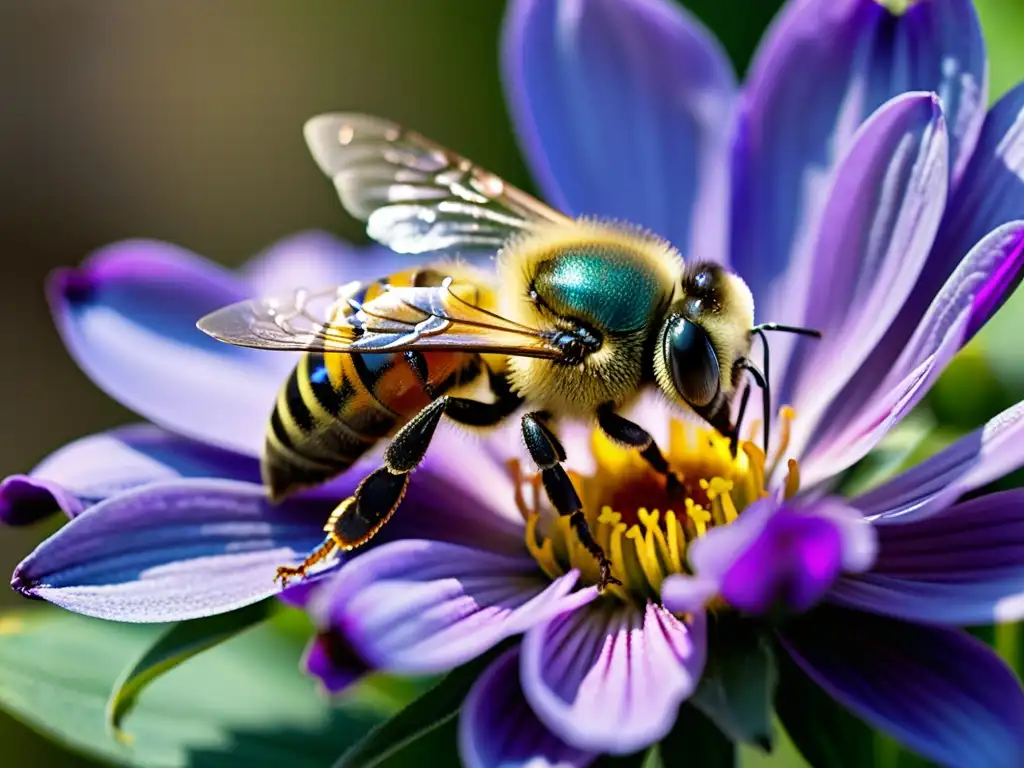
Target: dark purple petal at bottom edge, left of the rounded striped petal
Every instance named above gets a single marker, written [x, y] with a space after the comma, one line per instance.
[497, 729]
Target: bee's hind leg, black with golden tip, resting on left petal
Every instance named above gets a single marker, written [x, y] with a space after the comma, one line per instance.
[359, 519]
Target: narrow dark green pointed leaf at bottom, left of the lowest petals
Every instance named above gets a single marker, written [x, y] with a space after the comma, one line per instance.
[437, 709]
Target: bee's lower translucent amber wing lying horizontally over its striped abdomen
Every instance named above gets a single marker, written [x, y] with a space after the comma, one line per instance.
[443, 317]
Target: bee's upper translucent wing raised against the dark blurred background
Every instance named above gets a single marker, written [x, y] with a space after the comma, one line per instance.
[415, 196]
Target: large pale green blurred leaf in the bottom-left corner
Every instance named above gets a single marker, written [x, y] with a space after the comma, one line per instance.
[243, 703]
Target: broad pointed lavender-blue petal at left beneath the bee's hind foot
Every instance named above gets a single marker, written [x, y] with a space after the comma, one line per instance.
[173, 551]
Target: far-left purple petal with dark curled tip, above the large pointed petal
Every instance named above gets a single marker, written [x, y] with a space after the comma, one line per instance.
[94, 468]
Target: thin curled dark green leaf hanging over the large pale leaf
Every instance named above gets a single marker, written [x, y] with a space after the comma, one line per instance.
[179, 645]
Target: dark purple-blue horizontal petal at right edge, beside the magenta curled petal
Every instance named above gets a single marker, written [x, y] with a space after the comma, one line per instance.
[962, 567]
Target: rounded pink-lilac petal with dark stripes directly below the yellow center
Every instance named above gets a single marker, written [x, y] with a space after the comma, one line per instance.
[639, 666]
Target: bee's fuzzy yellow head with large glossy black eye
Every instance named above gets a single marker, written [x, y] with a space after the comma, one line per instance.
[705, 332]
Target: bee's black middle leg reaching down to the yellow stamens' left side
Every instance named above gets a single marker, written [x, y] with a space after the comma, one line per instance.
[548, 454]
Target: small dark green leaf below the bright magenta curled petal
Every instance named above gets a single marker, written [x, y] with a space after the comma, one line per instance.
[739, 685]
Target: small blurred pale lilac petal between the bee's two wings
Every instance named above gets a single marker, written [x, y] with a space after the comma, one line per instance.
[314, 261]
